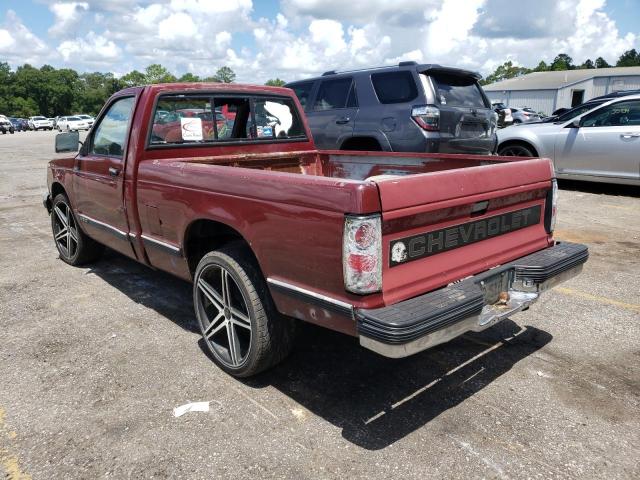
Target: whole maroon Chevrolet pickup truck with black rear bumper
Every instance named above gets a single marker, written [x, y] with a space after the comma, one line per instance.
[404, 251]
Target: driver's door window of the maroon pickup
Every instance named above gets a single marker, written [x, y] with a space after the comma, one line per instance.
[111, 133]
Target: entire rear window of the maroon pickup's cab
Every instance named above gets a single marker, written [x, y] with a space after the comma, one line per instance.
[206, 119]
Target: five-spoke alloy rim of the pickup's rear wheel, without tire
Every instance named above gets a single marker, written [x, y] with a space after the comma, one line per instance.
[224, 316]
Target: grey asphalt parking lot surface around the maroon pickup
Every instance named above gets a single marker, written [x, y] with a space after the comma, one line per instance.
[93, 360]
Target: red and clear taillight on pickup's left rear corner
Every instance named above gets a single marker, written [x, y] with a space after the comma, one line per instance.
[362, 254]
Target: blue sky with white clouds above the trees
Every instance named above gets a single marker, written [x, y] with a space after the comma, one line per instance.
[293, 39]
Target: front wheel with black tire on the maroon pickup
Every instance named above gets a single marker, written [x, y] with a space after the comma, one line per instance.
[86, 249]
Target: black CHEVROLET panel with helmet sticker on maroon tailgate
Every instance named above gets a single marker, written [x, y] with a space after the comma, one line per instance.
[425, 244]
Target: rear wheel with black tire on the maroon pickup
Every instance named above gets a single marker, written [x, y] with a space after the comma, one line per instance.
[271, 335]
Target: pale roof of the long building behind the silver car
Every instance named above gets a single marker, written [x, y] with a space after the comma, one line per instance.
[557, 80]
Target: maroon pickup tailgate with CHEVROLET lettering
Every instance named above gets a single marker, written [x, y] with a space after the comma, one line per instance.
[440, 227]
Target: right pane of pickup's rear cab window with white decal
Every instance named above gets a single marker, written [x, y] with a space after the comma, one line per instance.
[277, 118]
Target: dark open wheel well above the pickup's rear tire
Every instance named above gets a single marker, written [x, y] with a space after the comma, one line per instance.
[204, 235]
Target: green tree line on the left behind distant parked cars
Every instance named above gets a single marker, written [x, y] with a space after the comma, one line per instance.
[47, 91]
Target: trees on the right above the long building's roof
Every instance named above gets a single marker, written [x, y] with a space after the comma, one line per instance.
[630, 58]
